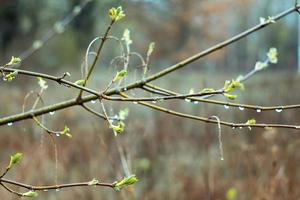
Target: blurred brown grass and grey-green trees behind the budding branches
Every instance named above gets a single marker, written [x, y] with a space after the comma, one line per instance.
[173, 158]
